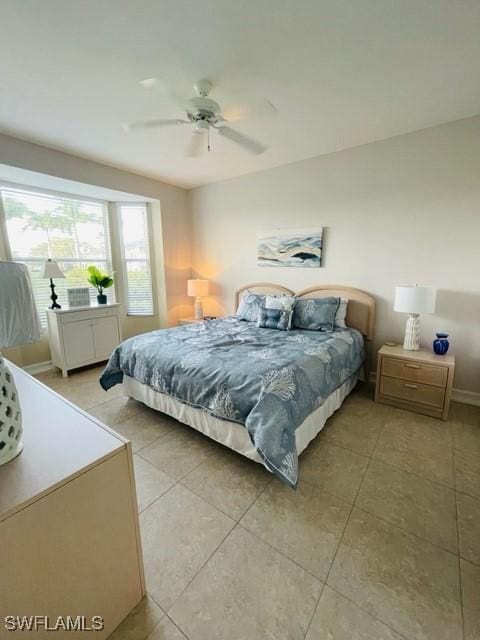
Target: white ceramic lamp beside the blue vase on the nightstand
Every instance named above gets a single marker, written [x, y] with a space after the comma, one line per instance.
[414, 300]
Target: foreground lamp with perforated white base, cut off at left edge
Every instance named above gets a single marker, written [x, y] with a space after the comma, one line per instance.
[19, 324]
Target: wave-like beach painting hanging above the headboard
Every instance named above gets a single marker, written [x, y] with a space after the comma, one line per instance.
[290, 248]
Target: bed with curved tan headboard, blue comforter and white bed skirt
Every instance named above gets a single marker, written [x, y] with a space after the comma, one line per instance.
[261, 392]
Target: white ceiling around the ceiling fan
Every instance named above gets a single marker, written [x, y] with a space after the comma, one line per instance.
[340, 72]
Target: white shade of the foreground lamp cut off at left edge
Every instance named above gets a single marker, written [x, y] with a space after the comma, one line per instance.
[19, 321]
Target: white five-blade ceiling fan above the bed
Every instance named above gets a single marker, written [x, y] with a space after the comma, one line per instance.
[205, 114]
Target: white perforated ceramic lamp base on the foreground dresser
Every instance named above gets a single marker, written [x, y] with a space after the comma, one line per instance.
[10, 417]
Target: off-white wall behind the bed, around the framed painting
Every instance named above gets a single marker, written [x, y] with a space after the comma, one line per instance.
[396, 211]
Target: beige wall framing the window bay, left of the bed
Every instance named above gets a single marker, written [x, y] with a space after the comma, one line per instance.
[171, 226]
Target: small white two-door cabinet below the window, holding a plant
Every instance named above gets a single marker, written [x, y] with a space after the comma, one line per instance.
[82, 336]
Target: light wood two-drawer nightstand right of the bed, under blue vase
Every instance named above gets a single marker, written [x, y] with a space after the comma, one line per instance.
[416, 380]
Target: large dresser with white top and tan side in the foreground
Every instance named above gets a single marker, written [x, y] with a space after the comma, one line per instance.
[69, 536]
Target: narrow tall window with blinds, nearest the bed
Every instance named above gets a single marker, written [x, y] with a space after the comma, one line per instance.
[134, 240]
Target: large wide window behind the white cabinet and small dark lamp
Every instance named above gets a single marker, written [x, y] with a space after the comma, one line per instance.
[72, 231]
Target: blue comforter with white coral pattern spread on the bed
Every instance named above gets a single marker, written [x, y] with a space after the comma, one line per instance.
[265, 379]
